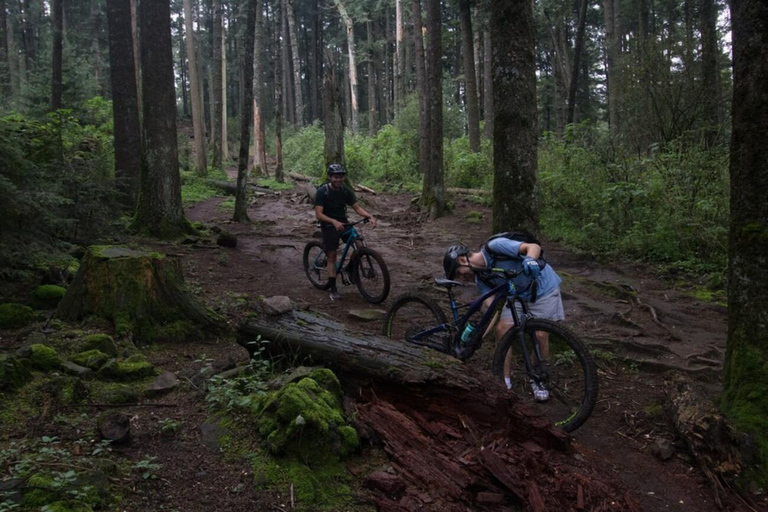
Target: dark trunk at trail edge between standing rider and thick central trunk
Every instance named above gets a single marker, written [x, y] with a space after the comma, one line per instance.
[433, 189]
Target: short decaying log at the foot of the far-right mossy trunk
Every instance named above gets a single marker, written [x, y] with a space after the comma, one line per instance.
[710, 438]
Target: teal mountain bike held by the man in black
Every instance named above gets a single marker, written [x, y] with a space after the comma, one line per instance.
[366, 267]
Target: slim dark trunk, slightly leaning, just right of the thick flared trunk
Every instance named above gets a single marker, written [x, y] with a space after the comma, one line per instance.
[241, 201]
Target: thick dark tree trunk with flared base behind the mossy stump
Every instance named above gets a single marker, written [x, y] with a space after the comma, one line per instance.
[159, 210]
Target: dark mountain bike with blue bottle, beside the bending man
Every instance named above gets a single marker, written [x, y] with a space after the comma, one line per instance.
[568, 372]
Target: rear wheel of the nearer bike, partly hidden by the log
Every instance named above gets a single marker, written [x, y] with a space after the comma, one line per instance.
[412, 313]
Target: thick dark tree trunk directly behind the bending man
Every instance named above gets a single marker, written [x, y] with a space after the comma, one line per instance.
[515, 194]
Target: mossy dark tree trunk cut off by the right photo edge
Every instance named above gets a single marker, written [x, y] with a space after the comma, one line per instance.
[746, 364]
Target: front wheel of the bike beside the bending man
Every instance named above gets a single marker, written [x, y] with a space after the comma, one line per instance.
[566, 370]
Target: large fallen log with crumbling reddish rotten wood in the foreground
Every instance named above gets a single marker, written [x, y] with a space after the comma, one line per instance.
[455, 437]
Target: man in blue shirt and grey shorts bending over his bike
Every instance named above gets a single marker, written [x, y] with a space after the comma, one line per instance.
[517, 256]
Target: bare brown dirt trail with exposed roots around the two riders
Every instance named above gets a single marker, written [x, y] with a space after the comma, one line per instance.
[641, 326]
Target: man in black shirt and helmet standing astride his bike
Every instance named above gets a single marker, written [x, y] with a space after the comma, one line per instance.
[331, 203]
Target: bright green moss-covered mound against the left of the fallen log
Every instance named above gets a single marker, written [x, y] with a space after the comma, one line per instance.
[306, 419]
